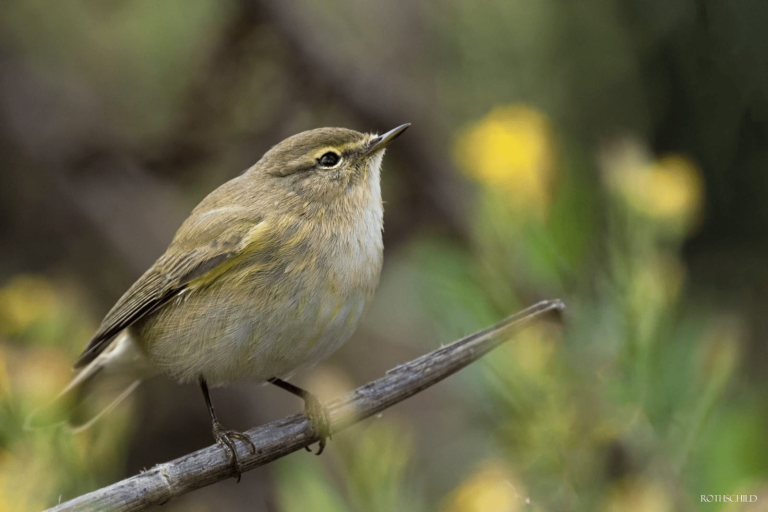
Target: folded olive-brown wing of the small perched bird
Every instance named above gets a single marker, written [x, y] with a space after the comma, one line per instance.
[218, 236]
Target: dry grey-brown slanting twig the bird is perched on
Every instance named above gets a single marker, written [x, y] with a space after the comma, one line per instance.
[279, 438]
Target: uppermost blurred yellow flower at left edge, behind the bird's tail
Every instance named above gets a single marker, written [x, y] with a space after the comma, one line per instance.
[24, 300]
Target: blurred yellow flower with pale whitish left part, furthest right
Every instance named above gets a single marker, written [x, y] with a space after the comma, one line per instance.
[669, 189]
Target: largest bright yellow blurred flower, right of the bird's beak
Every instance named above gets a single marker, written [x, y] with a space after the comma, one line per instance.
[511, 148]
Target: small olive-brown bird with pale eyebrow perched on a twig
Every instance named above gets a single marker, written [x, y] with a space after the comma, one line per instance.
[270, 274]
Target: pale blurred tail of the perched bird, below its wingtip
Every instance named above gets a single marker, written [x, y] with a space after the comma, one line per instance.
[96, 389]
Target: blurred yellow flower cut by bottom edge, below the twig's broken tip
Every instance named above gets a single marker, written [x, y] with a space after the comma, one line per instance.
[490, 487]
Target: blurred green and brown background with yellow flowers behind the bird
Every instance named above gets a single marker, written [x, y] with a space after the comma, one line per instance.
[611, 153]
